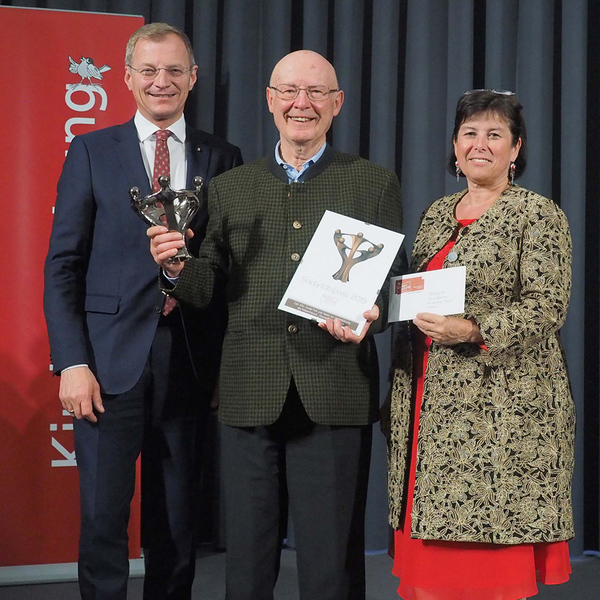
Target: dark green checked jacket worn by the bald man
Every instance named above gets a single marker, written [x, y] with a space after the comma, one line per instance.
[259, 227]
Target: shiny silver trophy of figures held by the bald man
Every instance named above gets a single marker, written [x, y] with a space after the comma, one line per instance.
[174, 209]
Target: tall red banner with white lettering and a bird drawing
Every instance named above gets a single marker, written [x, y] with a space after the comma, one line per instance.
[66, 72]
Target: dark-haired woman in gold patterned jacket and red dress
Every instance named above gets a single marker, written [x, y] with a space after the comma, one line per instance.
[482, 418]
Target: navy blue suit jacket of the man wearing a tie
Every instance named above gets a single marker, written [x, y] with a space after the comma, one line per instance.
[101, 298]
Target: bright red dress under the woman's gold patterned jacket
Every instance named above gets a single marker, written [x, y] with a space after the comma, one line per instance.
[436, 570]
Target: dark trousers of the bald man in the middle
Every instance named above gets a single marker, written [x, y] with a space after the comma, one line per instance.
[320, 472]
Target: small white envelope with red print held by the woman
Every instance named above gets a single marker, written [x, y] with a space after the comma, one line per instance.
[441, 292]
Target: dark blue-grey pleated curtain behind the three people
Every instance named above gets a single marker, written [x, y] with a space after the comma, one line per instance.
[403, 64]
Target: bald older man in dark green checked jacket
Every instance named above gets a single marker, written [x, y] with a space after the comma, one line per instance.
[297, 399]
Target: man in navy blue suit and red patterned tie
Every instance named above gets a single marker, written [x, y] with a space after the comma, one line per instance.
[136, 377]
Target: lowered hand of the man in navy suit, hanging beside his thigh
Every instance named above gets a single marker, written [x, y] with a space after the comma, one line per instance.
[79, 393]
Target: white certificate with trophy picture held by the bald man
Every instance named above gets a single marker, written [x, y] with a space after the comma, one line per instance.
[342, 271]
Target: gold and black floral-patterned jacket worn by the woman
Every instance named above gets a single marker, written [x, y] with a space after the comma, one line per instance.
[497, 426]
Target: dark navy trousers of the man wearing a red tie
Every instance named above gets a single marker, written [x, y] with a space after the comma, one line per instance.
[160, 418]
